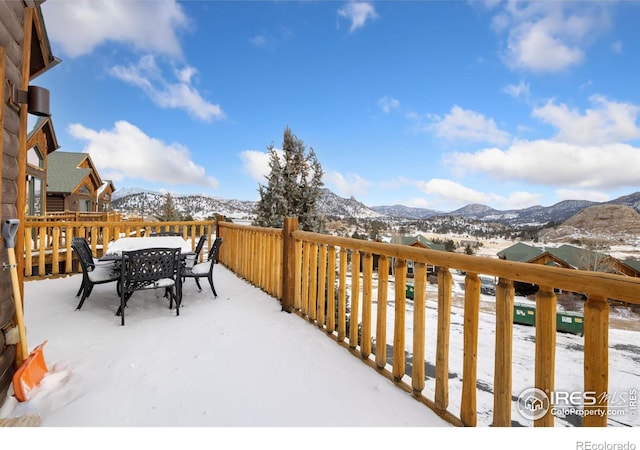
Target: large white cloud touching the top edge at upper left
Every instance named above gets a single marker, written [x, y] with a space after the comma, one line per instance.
[78, 27]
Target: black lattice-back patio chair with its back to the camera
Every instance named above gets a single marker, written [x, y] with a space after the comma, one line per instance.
[151, 268]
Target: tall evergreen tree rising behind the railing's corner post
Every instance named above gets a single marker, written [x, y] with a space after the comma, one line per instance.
[293, 187]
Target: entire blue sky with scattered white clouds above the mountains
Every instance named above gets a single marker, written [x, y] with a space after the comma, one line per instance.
[435, 104]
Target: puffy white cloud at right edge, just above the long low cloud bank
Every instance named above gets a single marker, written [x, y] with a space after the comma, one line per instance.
[606, 123]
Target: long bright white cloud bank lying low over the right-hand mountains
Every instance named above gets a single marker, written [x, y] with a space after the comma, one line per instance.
[554, 163]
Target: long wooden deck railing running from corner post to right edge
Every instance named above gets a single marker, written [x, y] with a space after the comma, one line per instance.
[309, 273]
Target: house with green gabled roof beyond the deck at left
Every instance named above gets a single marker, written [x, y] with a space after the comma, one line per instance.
[73, 184]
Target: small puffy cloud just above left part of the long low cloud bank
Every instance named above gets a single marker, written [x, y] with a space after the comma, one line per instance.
[464, 124]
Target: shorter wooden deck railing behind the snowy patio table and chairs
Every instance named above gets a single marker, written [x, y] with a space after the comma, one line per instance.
[47, 246]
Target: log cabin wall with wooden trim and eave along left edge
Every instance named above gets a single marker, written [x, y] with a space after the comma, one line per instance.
[25, 53]
